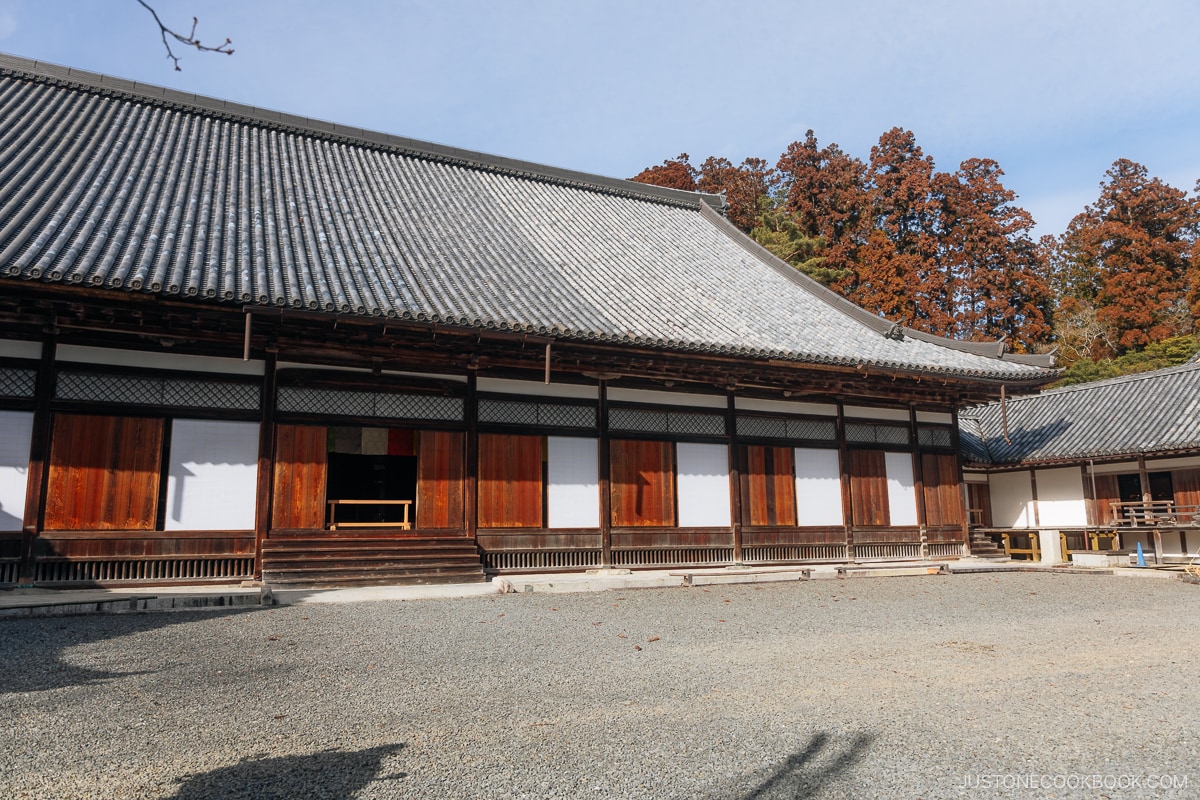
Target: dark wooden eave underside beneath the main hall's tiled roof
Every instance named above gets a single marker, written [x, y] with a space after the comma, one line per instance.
[87, 316]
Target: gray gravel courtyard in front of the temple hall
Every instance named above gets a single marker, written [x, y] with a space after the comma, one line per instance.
[965, 687]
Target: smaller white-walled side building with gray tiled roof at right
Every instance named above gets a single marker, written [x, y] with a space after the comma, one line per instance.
[1096, 467]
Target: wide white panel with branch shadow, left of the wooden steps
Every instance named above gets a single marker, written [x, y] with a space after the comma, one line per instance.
[214, 476]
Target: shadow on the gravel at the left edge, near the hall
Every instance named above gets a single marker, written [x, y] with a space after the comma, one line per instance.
[34, 647]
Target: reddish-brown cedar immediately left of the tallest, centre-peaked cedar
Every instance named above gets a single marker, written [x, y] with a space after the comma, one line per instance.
[825, 194]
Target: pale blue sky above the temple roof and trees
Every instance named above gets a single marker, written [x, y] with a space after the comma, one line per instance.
[1055, 91]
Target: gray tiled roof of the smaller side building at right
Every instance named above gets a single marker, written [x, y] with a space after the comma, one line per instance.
[1148, 413]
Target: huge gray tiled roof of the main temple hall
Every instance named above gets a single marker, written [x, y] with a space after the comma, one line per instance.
[137, 189]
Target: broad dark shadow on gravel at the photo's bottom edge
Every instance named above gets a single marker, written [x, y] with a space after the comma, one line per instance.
[328, 775]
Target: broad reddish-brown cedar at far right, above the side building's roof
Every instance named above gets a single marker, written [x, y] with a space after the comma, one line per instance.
[1131, 255]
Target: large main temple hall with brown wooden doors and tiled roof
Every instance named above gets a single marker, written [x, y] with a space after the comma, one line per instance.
[237, 344]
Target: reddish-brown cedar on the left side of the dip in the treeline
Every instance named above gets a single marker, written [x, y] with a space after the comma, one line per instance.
[992, 261]
